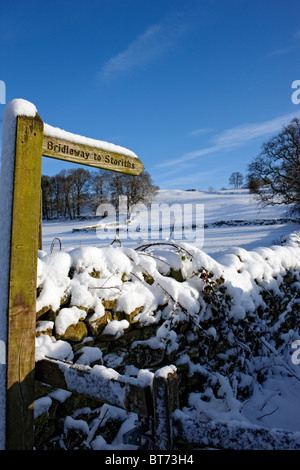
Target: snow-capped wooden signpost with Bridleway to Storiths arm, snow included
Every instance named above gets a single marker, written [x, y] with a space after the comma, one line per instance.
[25, 140]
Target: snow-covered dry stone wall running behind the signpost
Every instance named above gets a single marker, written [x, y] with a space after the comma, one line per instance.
[227, 328]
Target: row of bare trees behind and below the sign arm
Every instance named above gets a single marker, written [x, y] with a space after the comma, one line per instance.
[65, 194]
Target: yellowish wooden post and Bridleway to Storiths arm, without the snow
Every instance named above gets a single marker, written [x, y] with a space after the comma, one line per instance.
[31, 143]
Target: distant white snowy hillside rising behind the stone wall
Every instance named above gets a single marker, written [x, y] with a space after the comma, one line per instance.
[231, 218]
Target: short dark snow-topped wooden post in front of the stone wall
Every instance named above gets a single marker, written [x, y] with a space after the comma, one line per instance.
[166, 400]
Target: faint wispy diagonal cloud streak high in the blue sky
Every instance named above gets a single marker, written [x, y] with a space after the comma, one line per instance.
[155, 41]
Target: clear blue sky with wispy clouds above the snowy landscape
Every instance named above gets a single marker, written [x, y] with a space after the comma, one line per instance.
[193, 87]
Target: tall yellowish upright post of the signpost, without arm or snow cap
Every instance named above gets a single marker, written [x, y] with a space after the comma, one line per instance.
[22, 284]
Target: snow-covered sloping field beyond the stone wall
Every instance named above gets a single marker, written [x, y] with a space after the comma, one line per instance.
[261, 227]
